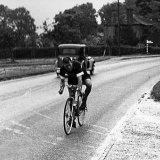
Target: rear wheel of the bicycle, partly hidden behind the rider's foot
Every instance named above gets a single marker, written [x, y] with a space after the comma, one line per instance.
[81, 116]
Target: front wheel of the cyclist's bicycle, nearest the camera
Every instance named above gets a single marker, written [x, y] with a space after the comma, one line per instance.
[68, 116]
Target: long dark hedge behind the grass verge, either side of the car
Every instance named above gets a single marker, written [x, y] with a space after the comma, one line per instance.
[32, 53]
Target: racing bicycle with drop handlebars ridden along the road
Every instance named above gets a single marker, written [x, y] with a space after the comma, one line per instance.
[71, 109]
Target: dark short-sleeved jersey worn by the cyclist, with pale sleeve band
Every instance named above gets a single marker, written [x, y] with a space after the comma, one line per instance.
[74, 73]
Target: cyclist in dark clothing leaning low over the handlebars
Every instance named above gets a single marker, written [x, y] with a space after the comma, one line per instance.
[77, 75]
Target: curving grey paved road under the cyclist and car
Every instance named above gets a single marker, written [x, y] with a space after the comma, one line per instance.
[31, 111]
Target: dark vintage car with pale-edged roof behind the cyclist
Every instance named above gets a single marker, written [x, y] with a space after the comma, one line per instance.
[75, 52]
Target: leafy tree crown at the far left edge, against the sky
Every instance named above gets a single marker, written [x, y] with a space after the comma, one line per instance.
[15, 25]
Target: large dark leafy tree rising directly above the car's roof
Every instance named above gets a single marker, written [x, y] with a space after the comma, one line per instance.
[75, 24]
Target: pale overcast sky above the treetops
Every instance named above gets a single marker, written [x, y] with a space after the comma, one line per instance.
[42, 10]
